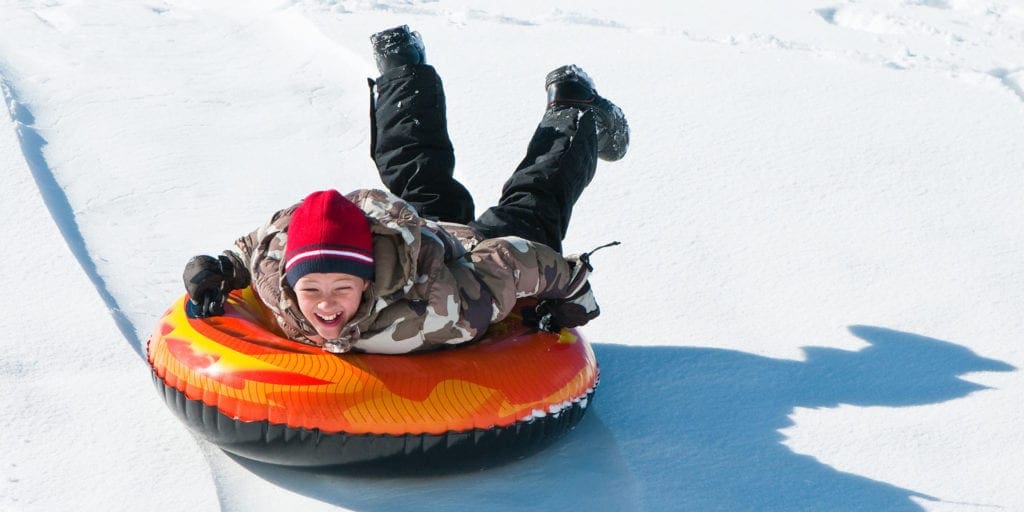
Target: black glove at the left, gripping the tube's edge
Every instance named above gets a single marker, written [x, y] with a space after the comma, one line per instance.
[208, 280]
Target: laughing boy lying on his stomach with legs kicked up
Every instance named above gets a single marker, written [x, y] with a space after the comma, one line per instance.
[413, 270]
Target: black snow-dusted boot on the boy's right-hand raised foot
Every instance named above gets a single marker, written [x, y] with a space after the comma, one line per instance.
[570, 87]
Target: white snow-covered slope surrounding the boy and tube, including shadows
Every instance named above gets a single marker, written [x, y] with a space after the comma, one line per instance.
[817, 305]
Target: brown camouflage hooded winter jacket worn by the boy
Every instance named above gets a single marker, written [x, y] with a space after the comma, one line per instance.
[437, 284]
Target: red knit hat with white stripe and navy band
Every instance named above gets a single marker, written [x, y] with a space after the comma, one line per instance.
[329, 234]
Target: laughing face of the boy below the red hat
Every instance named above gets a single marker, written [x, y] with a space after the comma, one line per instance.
[330, 301]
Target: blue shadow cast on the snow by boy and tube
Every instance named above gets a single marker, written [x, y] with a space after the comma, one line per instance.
[682, 429]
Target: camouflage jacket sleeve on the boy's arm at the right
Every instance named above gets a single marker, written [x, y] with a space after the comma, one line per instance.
[513, 269]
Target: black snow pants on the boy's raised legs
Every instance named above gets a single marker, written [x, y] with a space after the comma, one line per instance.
[411, 147]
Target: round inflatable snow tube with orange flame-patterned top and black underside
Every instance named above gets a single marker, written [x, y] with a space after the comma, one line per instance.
[236, 381]
